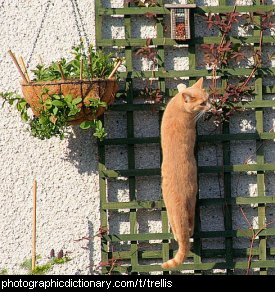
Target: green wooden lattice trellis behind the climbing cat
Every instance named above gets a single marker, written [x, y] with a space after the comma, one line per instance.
[262, 252]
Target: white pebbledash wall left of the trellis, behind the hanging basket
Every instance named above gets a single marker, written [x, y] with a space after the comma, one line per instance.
[68, 199]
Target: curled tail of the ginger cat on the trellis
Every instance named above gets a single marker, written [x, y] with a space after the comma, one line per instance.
[183, 242]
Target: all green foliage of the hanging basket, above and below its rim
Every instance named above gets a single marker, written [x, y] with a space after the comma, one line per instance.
[57, 111]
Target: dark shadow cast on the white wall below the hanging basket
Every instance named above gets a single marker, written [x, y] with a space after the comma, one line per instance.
[82, 150]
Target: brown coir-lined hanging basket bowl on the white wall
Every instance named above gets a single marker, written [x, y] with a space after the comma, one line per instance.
[103, 89]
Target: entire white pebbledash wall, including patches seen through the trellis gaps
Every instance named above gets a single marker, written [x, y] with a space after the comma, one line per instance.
[68, 197]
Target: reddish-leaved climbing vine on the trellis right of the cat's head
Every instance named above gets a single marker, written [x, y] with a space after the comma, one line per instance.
[218, 56]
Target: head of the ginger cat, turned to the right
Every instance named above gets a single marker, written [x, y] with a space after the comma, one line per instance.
[195, 98]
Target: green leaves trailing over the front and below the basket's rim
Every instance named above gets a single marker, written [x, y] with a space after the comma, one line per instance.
[55, 115]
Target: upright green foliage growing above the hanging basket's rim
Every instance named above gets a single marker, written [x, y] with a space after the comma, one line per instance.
[99, 65]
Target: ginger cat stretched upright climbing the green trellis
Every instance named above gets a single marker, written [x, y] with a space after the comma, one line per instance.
[179, 170]
